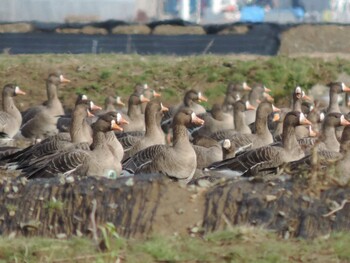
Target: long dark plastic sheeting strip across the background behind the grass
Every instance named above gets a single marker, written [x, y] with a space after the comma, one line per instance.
[36, 43]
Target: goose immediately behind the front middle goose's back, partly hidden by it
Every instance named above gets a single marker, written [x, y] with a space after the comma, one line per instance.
[154, 134]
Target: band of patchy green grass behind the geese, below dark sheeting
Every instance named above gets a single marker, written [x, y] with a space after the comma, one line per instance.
[112, 74]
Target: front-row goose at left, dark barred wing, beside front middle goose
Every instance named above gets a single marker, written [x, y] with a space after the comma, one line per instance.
[97, 162]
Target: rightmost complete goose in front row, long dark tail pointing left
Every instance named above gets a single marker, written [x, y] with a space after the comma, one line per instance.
[254, 162]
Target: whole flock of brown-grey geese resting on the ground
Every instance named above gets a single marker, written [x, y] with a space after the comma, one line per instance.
[246, 135]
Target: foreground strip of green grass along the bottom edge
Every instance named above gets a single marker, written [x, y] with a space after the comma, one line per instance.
[241, 244]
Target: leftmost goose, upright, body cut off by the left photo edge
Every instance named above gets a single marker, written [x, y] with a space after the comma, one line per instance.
[10, 117]
